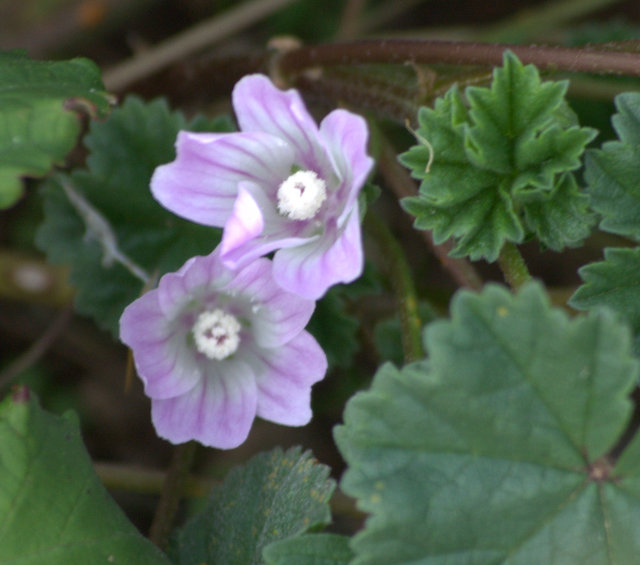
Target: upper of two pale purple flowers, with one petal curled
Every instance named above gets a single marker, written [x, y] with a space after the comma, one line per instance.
[280, 184]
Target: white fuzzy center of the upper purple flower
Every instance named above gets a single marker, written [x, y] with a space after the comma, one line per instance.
[301, 195]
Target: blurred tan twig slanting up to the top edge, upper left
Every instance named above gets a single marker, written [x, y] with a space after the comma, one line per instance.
[190, 41]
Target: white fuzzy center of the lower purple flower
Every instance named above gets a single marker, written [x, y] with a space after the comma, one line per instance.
[216, 334]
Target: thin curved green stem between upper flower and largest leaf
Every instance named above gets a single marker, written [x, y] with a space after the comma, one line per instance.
[402, 282]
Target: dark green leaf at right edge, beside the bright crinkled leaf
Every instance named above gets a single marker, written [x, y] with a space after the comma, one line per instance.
[612, 176]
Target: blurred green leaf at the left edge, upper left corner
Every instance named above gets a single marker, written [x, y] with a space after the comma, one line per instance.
[40, 107]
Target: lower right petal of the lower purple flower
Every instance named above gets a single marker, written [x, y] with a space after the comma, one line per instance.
[284, 379]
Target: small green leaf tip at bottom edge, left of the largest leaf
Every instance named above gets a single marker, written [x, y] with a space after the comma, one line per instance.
[310, 549]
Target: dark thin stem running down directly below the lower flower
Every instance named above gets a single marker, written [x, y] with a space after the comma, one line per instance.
[172, 491]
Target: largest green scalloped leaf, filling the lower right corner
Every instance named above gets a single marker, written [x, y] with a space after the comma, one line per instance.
[494, 450]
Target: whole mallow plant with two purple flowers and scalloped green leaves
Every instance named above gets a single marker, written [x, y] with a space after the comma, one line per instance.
[240, 259]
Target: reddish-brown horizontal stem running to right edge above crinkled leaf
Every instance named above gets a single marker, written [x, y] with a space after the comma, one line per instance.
[588, 59]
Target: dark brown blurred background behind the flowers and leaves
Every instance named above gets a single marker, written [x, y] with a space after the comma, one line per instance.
[192, 52]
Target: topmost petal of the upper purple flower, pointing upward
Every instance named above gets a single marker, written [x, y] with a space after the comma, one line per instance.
[260, 106]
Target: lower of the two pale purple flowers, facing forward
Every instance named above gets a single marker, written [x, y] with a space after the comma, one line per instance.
[216, 347]
